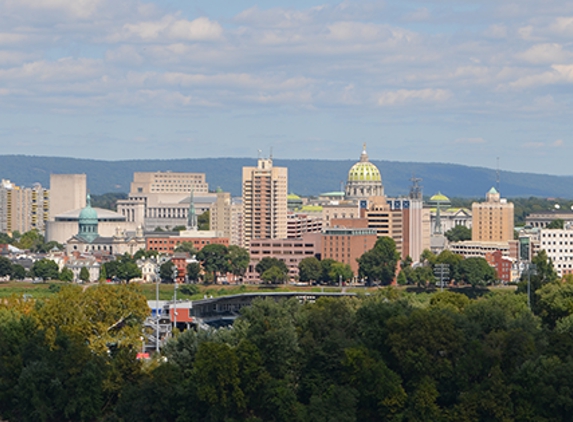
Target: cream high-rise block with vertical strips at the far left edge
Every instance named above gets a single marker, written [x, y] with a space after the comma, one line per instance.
[23, 209]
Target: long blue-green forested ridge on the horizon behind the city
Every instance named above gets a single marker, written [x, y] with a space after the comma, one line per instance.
[306, 177]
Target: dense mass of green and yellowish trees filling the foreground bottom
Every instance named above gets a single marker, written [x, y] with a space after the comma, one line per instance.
[391, 356]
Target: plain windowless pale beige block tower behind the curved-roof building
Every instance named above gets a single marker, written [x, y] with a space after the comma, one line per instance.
[67, 192]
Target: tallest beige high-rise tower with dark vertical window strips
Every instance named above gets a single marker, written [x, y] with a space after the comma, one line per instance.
[264, 201]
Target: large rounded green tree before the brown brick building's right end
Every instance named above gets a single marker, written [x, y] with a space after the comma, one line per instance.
[379, 263]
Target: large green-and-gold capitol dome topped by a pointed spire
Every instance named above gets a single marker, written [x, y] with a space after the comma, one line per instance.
[364, 179]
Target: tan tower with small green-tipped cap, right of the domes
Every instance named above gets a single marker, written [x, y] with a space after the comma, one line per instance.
[492, 220]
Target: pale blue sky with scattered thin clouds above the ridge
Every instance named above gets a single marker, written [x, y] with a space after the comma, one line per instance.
[468, 82]
